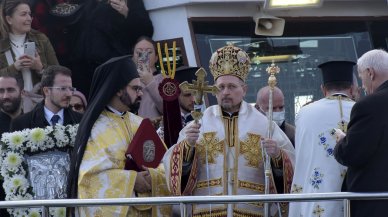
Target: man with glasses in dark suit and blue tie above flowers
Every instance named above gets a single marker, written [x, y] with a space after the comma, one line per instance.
[57, 89]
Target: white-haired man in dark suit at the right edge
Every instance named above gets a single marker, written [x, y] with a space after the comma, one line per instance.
[364, 149]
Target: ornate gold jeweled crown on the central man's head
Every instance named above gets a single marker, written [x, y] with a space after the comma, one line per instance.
[230, 60]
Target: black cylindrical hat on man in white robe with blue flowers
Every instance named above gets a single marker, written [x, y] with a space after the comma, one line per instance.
[337, 71]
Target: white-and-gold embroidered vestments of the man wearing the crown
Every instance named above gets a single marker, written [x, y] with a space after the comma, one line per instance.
[228, 161]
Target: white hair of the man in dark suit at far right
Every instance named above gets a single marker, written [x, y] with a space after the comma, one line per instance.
[376, 59]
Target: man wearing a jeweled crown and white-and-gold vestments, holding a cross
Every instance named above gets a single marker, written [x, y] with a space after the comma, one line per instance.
[222, 155]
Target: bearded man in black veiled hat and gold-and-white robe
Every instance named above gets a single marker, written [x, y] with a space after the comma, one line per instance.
[97, 169]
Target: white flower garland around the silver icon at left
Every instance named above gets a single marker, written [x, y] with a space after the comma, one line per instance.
[13, 166]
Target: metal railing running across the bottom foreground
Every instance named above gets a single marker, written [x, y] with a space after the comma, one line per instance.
[184, 200]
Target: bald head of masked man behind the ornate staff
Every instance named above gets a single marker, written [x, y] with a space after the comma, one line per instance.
[262, 99]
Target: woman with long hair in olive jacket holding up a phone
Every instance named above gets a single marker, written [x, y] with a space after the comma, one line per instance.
[15, 31]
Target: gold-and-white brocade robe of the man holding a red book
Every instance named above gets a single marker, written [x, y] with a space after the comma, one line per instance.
[102, 173]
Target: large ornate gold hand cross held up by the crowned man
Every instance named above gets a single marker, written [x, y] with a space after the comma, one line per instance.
[199, 87]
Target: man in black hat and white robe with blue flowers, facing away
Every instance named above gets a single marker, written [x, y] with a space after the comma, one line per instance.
[316, 170]
